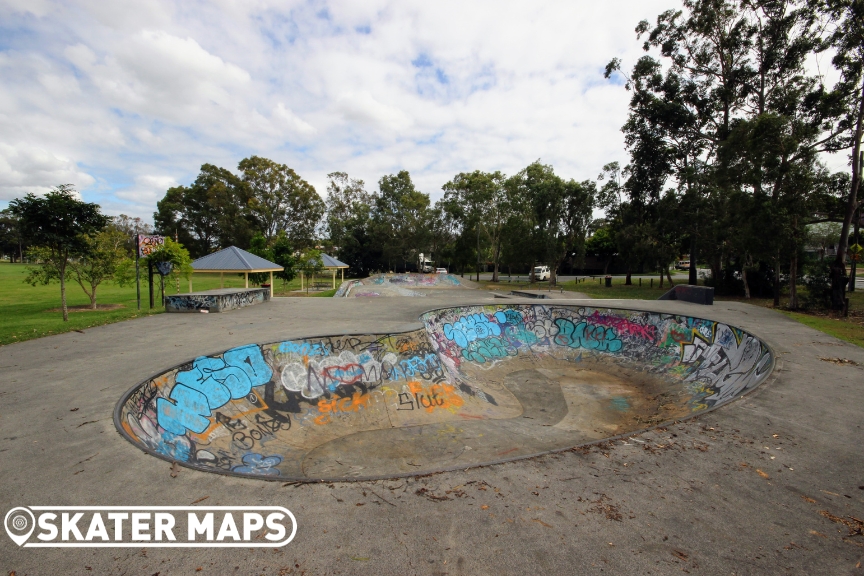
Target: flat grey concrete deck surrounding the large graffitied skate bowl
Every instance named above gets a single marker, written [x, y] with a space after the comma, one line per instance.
[769, 484]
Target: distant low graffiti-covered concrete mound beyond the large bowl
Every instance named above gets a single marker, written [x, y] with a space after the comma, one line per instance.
[408, 284]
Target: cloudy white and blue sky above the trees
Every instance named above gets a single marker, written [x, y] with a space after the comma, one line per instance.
[125, 100]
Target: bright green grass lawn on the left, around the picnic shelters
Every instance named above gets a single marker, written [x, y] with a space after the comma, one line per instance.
[26, 312]
